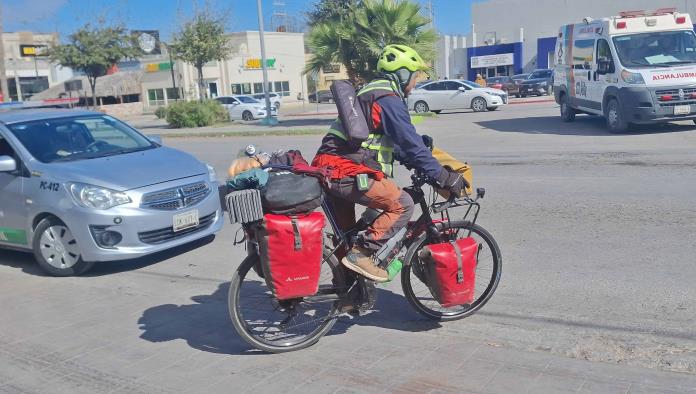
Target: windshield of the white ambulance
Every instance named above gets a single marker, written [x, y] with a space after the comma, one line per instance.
[656, 49]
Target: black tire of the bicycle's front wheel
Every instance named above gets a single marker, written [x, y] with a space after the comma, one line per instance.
[449, 314]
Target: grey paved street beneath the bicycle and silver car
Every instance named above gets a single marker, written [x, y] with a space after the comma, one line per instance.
[598, 237]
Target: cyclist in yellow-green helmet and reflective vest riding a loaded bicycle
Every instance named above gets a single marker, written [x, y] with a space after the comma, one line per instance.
[359, 174]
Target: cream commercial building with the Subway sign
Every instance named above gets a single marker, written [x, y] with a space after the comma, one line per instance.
[241, 73]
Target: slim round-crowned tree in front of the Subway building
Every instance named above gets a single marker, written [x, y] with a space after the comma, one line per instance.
[199, 41]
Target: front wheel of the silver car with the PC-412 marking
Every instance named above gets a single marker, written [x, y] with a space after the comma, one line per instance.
[56, 250]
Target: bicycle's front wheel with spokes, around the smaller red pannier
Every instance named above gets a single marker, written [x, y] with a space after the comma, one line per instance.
[488, 270]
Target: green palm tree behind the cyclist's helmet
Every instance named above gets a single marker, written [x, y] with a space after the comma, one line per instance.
[356, 38]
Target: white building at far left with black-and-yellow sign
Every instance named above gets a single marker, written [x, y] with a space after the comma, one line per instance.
[26, 70]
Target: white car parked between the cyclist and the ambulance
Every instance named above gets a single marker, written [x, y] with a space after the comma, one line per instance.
[455, 94]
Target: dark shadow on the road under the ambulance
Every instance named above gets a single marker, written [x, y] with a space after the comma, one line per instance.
[584, 125]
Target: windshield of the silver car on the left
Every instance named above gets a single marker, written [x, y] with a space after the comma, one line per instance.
[78, 138]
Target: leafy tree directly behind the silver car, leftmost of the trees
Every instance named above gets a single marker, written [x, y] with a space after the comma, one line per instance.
[93, 50]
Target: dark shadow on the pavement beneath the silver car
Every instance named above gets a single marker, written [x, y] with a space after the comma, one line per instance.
[25, 260]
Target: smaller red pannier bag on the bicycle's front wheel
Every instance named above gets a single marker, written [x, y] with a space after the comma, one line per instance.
[450, 271]
